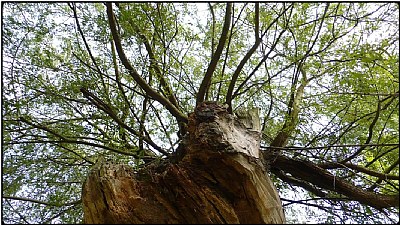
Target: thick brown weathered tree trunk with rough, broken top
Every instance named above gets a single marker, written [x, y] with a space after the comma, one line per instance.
[218, 177]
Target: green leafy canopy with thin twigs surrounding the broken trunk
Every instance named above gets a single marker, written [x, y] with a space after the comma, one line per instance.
[325, 72]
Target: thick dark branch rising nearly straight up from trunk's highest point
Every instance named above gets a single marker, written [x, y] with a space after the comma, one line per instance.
[205, 84]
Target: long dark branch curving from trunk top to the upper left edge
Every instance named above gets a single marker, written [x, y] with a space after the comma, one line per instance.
[135, 75]
